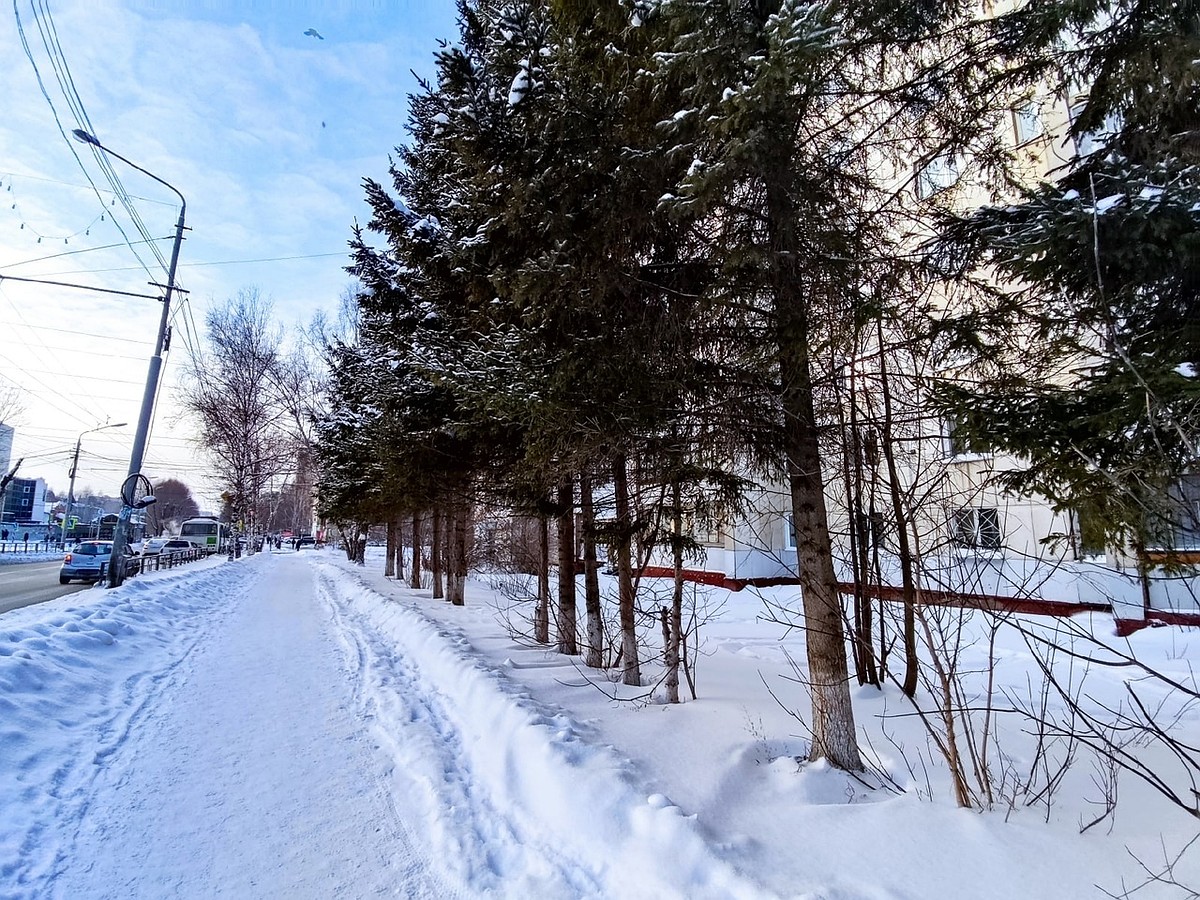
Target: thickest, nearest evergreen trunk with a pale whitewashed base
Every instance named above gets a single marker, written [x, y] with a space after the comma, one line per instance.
[835, 736]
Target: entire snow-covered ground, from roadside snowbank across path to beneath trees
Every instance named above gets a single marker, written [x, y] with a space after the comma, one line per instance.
[292, 725]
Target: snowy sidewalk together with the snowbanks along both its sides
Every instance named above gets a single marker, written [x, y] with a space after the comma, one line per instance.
[274, 729]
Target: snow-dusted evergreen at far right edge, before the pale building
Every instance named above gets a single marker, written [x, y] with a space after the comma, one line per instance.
[1102, 271]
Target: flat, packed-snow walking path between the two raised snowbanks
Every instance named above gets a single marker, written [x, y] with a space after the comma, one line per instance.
[249, 776]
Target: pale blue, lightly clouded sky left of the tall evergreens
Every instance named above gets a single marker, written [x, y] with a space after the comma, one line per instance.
[267, 133]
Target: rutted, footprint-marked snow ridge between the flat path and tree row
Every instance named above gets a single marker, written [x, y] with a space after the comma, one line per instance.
[579, 821]
